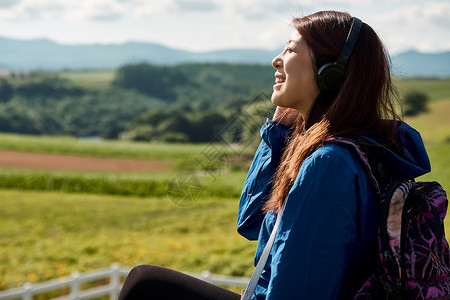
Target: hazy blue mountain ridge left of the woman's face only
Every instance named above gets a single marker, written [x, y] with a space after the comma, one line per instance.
[47, 55]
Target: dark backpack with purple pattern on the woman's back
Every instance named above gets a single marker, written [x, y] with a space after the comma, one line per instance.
[414, 255]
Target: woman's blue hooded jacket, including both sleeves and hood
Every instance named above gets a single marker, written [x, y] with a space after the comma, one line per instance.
[328, 227]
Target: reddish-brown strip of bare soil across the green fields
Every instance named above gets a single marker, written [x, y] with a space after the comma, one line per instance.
[79, 163]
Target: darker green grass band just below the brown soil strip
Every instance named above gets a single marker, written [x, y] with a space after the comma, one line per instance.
[208, 184]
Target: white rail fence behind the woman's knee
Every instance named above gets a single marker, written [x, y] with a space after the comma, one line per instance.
[113, 275]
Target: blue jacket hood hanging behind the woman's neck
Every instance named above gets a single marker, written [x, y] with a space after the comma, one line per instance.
[413, 161]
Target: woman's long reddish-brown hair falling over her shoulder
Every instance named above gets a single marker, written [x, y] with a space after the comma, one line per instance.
[363, 104]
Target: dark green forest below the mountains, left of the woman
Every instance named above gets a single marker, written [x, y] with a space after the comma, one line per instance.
[182, 103]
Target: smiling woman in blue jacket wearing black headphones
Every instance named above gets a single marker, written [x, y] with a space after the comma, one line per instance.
[325, 245]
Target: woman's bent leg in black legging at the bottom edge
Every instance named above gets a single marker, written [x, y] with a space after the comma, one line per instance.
[153, 282]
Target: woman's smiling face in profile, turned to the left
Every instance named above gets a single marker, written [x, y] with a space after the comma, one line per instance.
[295, 83]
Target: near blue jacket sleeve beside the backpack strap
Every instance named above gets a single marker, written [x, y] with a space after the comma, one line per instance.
[319, 234]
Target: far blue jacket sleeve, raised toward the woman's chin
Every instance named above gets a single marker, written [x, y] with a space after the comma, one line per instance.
[257, 184]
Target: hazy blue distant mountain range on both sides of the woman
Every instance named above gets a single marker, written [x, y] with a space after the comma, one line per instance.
[47, 55]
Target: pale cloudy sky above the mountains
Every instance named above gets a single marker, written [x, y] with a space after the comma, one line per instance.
[205, 25]
